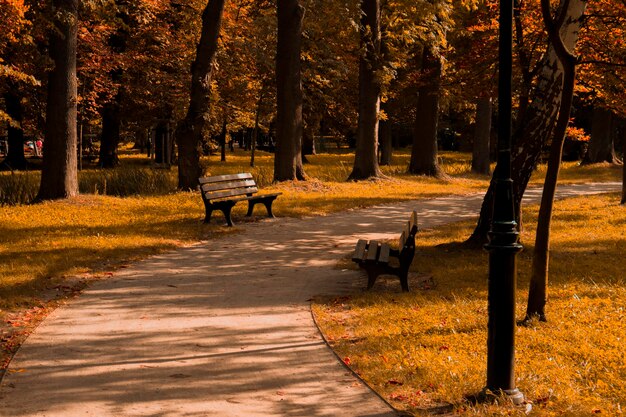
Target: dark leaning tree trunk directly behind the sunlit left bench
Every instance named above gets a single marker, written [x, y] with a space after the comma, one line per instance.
[190, 130]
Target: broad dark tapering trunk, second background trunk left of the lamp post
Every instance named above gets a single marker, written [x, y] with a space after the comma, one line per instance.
[424, 151]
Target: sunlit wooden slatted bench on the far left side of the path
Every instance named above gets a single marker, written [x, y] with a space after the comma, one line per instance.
[222, 192]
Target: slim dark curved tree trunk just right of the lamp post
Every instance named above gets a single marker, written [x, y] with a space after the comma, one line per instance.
[538, 292]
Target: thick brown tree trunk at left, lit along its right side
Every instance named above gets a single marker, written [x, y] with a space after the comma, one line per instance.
[59, 174]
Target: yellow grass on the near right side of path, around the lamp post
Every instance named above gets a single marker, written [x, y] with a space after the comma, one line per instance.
[428, 347]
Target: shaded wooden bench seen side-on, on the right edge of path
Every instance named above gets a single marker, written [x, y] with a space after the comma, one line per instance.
[376, 257]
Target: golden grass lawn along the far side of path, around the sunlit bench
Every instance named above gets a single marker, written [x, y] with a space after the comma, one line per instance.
[43, 245]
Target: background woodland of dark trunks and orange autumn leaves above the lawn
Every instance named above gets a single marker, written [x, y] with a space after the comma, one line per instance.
[258, 68]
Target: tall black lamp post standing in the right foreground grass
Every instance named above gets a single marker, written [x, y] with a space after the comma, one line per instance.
[503, 243]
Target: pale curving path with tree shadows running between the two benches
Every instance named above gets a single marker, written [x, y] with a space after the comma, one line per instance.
[220, 328]
